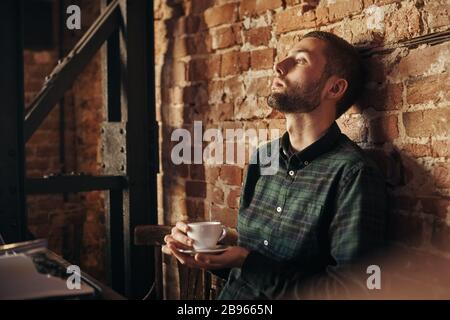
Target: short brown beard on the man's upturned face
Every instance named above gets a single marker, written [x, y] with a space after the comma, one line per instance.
[296, 98]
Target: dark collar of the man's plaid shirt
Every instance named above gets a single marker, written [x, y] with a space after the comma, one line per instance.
[322, 145]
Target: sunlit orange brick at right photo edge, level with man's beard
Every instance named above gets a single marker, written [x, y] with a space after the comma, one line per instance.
[428, 89]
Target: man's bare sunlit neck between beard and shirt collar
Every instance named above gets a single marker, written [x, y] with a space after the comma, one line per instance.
[305, 128]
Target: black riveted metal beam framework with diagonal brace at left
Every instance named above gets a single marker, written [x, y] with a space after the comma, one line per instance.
[126, 26]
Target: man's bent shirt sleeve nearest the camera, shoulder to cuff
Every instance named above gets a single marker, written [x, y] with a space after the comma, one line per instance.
[357, 228]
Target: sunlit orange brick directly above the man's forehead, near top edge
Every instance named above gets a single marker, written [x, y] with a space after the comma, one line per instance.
[293, 19]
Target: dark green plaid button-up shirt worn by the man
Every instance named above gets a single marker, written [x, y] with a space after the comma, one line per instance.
[323, 209]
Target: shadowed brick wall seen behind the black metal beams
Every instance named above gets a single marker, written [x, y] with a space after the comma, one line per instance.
[73, 224]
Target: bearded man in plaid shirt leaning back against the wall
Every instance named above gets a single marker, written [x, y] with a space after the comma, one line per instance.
[325, 207]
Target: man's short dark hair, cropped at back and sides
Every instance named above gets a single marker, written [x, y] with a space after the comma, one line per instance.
[344, 61]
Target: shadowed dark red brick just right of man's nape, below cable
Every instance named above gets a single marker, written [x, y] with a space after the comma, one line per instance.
[383, 97]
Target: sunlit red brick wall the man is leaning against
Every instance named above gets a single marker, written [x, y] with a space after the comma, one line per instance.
[214, 64]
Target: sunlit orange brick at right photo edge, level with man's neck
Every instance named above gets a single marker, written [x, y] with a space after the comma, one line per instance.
[427, 123]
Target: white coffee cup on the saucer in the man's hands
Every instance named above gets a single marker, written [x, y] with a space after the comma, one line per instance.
[206, 234]
